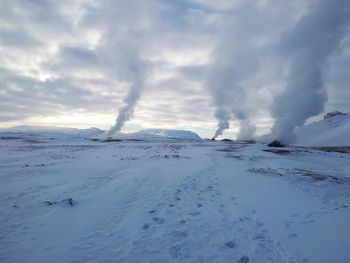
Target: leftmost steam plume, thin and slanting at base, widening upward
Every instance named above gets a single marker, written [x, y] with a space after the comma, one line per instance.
[121, 51]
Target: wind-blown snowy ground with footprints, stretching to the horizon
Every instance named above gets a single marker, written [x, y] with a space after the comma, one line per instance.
[171, 201]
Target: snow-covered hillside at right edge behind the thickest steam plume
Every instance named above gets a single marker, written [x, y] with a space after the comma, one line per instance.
[333, 130]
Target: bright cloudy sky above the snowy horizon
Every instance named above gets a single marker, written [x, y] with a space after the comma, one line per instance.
[176, 64]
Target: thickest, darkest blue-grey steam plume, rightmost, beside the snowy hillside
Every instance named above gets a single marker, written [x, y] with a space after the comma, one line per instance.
[308, 45]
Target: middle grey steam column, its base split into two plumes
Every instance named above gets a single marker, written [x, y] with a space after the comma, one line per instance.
[234, 60]
